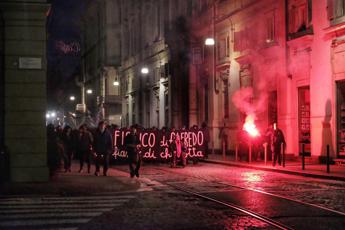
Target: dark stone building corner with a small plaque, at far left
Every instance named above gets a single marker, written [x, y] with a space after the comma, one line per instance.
[23, 90]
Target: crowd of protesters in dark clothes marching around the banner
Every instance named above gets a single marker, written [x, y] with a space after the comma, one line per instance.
[90, 145]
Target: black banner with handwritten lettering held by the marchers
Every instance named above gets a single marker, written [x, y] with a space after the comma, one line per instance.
[155, 144]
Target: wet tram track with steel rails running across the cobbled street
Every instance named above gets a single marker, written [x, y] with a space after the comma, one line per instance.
[307, 211]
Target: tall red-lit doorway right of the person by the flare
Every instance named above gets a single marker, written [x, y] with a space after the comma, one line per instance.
[304, 120]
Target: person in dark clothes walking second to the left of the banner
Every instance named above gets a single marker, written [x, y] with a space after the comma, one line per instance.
[84, 147]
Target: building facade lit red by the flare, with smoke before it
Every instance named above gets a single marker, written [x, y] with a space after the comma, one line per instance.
[280, 61]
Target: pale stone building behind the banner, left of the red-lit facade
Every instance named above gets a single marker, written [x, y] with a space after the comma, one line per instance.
[155, 36]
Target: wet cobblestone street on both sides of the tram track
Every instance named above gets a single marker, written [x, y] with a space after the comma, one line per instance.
[166, 208]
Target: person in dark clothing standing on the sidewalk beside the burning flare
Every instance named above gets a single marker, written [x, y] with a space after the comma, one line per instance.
[277, 140]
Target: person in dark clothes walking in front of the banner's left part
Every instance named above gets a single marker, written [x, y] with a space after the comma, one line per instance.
[132, 144]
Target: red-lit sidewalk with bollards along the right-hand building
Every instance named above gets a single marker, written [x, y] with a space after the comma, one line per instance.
[337, 172]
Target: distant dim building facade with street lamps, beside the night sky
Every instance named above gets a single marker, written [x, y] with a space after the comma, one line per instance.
[101, 55]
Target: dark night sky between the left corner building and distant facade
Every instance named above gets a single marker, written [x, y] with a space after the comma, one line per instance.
[63, 52]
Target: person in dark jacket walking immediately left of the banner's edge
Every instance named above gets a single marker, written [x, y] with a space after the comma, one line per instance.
[103, 147]
